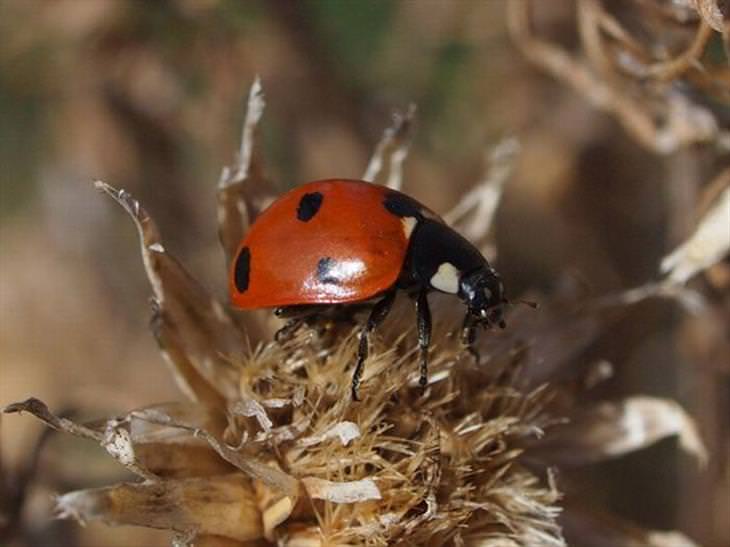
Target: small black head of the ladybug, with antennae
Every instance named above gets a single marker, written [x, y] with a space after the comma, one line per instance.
[483, 293]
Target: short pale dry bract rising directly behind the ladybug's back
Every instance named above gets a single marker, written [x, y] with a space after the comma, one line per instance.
[386, 165]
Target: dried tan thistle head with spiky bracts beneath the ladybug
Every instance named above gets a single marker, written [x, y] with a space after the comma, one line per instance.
[269, 449]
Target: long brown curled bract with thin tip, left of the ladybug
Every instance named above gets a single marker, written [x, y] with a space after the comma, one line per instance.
[189, 323]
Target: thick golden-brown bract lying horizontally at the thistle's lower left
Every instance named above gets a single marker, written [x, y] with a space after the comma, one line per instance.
[222, 505]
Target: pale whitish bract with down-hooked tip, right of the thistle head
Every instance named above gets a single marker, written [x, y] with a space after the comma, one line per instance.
[608, 430]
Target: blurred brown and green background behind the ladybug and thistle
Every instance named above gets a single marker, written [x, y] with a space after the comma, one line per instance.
[149, 96]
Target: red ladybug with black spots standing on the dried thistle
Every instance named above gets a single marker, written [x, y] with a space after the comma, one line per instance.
[330, 243]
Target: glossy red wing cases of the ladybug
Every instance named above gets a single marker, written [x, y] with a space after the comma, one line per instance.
[352, 232]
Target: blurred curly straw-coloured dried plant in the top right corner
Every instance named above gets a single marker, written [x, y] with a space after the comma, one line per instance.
[613, 67]
